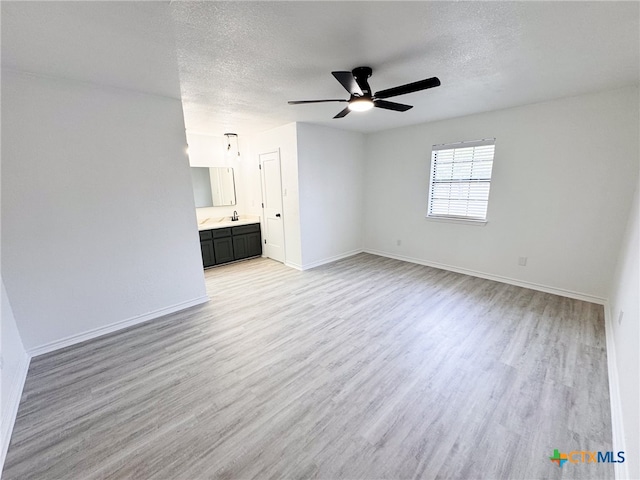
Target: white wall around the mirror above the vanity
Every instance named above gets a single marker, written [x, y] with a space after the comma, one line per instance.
[209, 151]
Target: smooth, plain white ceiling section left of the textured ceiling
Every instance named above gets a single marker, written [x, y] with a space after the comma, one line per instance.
[121, 44]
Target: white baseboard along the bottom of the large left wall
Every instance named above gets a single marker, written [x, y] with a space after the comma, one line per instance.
[113, 327]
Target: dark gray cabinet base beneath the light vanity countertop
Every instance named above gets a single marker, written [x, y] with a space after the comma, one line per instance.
[223, 245]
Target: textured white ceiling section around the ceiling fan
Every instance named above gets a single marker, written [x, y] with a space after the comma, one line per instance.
[241, 61]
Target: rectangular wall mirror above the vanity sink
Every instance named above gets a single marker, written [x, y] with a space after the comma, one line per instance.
[213, 187]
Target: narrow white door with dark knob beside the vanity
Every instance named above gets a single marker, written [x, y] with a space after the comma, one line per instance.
[272, 205]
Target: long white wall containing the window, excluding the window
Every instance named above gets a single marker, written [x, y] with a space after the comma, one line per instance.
[563, 178]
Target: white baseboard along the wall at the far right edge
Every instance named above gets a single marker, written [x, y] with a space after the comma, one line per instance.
[617, 425]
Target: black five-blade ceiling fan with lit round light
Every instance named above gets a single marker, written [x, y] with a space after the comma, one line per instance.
[355, 82]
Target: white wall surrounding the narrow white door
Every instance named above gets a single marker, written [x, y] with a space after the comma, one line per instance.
[283, 139]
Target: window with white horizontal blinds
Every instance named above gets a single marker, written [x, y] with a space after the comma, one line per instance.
[460, 180]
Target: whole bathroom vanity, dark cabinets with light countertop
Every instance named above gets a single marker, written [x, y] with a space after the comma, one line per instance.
[224, 241]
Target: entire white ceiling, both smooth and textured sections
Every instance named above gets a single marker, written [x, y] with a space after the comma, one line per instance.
[239, 62]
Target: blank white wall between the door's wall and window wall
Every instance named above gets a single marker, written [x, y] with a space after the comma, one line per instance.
[331, 176]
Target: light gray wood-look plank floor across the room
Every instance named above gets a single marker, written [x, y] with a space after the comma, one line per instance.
[364, 368]
